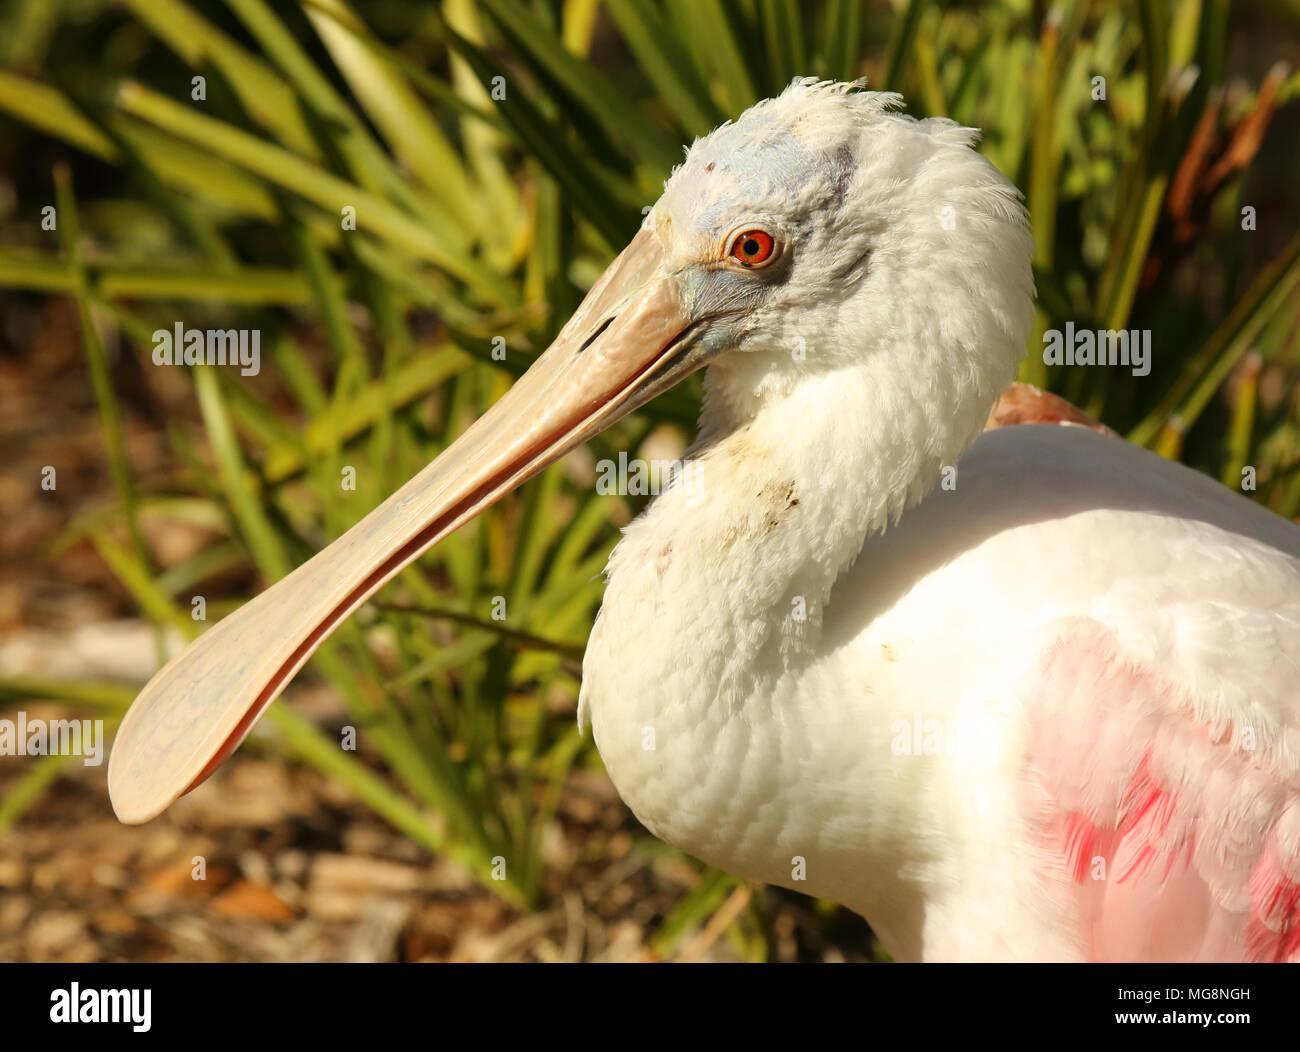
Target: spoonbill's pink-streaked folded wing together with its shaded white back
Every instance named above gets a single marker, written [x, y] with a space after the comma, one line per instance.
[1147, 622]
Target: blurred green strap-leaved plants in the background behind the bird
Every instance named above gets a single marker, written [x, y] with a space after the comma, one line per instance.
[497, 155]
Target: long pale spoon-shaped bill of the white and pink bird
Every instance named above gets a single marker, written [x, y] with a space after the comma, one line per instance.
[630, 340]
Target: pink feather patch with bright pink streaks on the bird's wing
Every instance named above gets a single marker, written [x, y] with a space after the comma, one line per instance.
[1167, 830]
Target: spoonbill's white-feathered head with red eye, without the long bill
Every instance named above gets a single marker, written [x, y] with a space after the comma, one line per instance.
[822, 227]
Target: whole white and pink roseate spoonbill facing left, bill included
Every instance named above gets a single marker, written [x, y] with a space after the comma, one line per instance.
[1048, 711]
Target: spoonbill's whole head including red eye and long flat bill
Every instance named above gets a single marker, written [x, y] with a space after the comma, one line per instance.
[817, 231]
